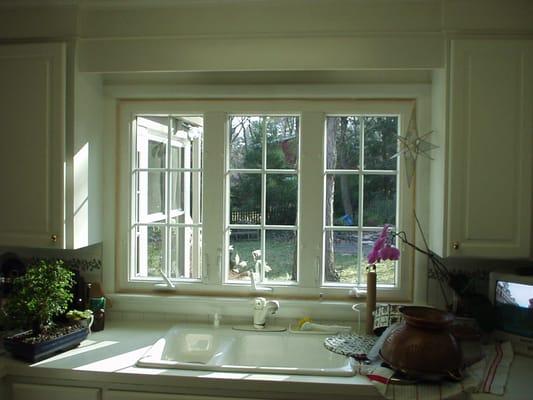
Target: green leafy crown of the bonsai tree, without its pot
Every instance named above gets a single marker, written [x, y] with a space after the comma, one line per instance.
[40, 295]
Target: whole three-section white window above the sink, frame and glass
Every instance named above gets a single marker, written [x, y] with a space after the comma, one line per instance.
[290, 194]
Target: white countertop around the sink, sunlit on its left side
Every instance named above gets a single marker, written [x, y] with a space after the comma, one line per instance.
[108, 358]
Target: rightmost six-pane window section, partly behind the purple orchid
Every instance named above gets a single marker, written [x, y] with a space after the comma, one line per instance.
[360, 186]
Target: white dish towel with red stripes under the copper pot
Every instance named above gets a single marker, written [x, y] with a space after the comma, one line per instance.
[488, 375]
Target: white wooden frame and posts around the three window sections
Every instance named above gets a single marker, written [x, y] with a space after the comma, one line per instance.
[311, 175]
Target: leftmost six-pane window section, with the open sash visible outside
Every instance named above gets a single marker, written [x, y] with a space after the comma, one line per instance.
[166, 186]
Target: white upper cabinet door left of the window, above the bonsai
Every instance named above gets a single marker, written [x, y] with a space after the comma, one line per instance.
[32, 104]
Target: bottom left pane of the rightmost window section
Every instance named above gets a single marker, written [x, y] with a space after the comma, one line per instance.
[341, 250]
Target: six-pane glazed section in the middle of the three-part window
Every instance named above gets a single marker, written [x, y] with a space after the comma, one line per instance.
[262, 184]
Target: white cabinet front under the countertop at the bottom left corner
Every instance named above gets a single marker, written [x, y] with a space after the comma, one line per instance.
[22, 391]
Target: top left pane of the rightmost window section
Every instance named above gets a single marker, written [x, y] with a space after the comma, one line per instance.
[343, 137]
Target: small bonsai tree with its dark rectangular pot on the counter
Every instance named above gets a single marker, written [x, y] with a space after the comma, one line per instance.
[42, 293]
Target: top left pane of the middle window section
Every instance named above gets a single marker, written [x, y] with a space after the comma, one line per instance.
[246, 141]
